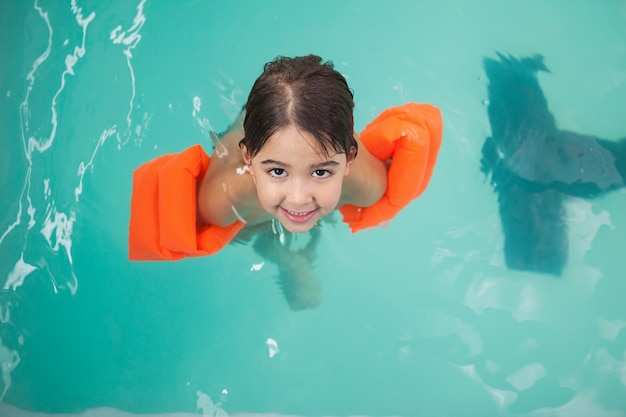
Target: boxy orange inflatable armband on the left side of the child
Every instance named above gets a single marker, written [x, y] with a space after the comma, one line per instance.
[163, 210]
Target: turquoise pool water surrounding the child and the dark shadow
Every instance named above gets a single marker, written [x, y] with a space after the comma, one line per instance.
[421, 318]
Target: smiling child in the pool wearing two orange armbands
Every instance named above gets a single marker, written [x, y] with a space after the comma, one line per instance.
[291, 156]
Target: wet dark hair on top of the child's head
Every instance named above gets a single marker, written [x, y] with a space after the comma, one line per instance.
[306, 92]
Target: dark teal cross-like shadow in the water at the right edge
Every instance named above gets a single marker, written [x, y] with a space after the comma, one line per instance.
[534, 166]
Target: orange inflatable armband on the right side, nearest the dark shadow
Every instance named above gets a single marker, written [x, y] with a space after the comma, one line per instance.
[411, 136]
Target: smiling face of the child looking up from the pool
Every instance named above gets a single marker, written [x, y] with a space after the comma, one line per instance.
[294, 179]
